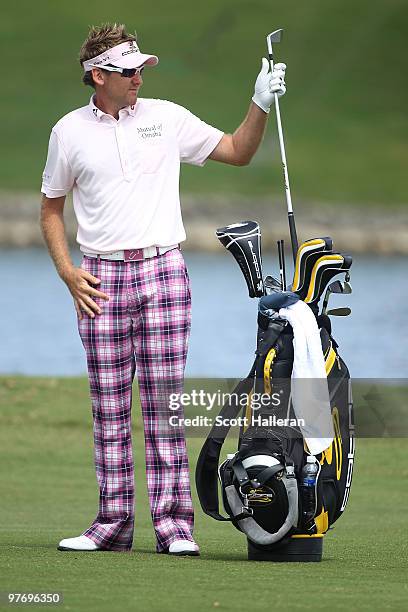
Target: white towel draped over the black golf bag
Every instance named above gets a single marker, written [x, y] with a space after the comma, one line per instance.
[310, 392]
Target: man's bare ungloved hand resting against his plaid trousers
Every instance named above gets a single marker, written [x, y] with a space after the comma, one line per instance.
[80, 282]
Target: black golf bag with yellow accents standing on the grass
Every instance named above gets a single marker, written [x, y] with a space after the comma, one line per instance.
[262, 484]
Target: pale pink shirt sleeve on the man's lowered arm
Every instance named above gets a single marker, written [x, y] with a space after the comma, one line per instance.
[58, 178]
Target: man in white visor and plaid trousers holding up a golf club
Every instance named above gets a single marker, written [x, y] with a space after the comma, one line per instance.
[121, 156]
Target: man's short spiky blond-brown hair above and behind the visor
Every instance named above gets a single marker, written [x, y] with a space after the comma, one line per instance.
[100, 39]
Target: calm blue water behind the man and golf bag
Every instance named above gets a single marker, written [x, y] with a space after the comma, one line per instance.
[38, 334]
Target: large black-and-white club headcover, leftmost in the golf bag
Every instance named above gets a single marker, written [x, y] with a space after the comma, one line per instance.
[243, 241]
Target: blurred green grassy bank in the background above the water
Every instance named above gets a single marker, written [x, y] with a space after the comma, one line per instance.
[344, 114]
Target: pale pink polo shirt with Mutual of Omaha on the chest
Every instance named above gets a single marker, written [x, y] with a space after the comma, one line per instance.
[125, 173]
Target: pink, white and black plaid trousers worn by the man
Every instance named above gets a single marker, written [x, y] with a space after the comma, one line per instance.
[144, 328]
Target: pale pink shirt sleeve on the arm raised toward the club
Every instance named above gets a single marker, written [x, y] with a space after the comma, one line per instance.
[196, 139]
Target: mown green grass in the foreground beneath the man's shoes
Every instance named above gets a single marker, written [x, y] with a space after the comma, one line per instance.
[48, 491]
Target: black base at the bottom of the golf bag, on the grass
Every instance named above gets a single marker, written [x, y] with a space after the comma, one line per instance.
[298, 548]
